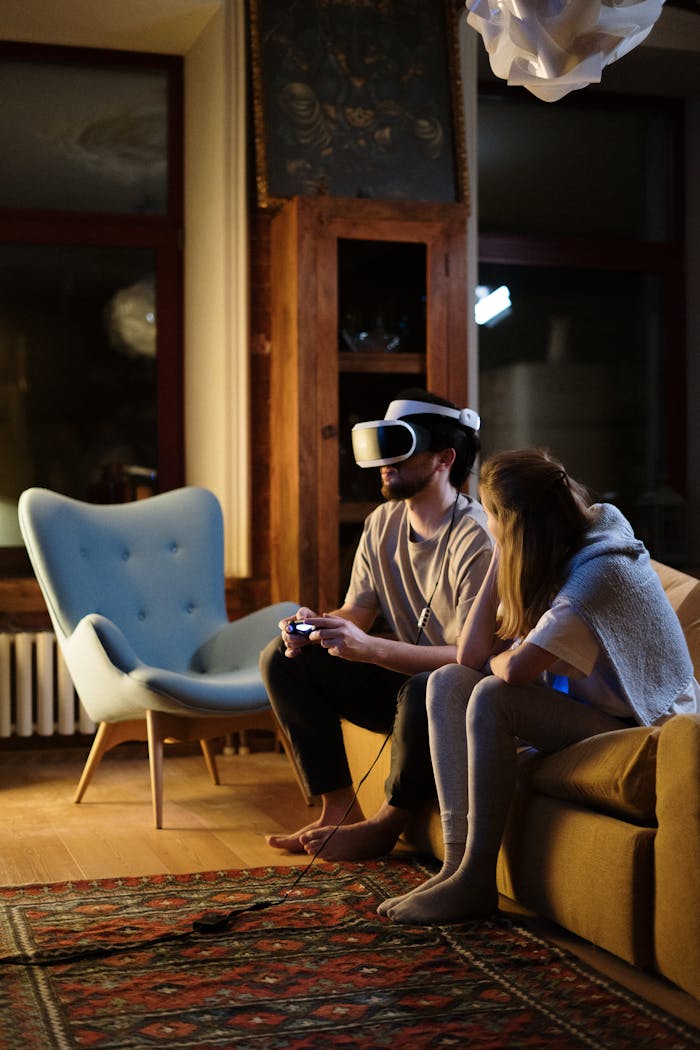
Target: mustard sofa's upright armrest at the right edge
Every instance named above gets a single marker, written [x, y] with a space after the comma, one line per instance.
[677, 853]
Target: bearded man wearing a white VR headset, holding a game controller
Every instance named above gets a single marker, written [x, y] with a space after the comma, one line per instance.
[417, 571]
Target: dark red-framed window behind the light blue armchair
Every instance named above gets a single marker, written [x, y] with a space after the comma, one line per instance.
[91, 276]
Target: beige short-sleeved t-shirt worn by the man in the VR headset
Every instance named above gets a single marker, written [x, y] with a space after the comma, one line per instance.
[394, 575]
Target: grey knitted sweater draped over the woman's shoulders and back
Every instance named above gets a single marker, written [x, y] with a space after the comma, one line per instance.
[612, 585]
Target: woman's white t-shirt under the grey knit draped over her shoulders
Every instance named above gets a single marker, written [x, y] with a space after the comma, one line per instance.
[562, 633]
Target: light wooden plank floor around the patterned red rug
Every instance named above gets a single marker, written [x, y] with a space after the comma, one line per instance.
[47, 838]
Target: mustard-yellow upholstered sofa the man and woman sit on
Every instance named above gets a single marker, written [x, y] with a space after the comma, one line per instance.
[604, 837]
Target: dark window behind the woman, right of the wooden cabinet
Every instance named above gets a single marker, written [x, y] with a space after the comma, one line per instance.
[579, 219]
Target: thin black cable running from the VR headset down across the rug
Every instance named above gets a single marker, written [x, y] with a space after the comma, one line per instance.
[216, 922]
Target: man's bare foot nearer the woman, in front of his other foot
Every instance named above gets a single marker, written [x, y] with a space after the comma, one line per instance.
[362, 841]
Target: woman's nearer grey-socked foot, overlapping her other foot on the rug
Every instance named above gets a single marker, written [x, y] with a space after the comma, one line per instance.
[456, 899]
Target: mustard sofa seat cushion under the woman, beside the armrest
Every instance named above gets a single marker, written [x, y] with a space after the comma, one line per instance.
[614, 773]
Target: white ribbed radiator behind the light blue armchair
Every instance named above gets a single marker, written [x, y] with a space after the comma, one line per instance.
[37, 695]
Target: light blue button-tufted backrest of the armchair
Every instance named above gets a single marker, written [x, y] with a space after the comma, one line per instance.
[155, 569]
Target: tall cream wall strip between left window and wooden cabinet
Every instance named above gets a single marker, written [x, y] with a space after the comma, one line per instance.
[217, 352]
